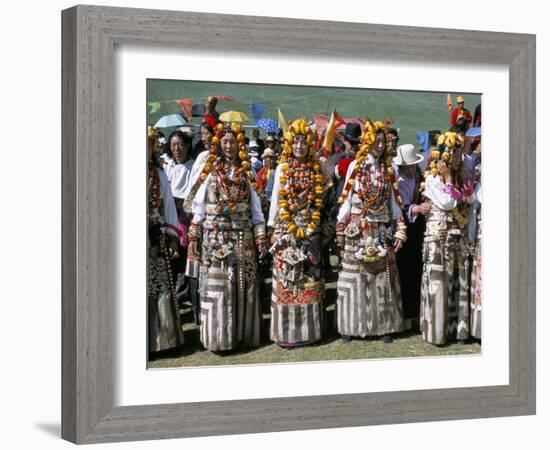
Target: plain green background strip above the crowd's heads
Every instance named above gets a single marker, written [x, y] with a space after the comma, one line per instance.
[412, 111]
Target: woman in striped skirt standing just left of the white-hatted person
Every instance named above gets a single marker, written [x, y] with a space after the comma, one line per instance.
[370, 229]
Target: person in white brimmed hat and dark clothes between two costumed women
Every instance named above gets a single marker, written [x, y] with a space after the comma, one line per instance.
[409, 259]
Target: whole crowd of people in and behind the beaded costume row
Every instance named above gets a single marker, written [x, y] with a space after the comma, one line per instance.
[403, 224]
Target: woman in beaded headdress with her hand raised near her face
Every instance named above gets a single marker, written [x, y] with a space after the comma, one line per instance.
[445, 308]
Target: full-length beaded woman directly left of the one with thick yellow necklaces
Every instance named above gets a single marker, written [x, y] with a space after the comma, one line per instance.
[229, 229]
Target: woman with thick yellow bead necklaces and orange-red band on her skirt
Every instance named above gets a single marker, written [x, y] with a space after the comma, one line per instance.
[298, 219]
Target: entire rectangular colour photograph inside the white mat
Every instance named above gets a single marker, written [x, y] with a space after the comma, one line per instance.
[290, 224]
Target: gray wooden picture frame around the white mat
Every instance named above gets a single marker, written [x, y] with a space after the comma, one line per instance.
[90, 34]
